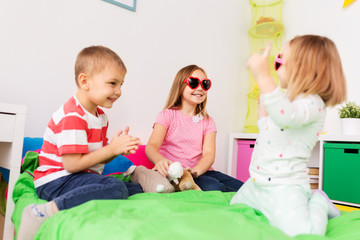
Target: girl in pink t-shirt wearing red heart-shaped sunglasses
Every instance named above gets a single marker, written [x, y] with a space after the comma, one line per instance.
[185, 133]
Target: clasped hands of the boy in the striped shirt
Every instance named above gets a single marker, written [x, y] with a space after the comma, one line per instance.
[124, 144]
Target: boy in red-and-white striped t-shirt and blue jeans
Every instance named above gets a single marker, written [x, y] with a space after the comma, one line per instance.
[75, 144]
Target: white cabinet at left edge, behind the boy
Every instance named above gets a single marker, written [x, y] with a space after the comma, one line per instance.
[12, 124]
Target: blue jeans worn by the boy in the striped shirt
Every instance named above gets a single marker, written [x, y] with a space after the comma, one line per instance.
[75, 189]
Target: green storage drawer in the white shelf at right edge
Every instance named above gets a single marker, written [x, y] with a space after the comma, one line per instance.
[342, 171]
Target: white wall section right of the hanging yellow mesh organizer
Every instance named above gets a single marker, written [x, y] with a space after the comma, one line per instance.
[328, 18]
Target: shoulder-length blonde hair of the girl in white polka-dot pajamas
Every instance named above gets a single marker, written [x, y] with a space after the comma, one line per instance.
[314, 67]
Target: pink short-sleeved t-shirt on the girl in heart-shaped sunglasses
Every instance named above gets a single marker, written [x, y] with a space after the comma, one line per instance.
[185, 136]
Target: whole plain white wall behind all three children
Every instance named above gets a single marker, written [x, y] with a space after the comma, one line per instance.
[40, 40]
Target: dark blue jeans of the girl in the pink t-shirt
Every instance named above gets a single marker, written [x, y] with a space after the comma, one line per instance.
[217, 181]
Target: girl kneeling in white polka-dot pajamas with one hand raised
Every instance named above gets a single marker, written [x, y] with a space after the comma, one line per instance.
[289, 123]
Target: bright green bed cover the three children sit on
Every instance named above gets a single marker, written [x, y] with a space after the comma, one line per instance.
[181, 215]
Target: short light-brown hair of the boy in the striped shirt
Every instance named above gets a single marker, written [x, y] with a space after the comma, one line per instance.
[93, 59]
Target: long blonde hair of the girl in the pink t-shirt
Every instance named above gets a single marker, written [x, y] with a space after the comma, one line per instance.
[175, 96]
